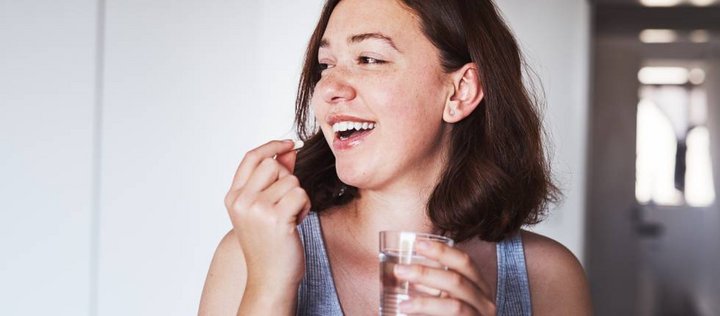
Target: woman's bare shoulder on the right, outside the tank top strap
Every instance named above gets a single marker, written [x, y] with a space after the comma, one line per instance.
[558, 285]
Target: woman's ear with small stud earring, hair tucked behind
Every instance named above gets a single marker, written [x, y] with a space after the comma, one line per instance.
[467, 93]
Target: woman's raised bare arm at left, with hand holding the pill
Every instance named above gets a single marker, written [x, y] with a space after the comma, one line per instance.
[258, 266]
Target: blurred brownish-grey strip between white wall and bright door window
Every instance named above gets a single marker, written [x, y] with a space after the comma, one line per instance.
[613, 247]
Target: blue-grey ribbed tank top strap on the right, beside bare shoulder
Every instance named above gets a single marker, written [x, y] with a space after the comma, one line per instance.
[513, 287]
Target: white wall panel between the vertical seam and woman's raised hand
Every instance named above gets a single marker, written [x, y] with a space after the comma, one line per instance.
[190, 86]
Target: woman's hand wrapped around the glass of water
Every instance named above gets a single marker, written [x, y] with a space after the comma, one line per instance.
[464, 292]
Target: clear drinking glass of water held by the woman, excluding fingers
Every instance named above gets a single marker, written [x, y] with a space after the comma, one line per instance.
[400, 248]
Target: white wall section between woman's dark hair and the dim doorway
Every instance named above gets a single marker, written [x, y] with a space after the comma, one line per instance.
[555, 36]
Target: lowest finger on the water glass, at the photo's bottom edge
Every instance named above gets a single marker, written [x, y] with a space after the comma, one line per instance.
[426, 305]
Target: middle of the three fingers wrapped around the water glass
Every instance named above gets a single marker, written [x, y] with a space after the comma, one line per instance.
[448, 281]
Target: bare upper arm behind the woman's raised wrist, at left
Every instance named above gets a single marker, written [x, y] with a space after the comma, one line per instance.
[225, 282]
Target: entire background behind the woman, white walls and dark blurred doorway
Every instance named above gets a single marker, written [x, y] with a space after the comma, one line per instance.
[122, 123]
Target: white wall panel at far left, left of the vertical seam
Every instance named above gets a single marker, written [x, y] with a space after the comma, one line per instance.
[47, 72]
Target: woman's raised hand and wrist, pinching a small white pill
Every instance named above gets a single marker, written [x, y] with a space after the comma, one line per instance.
[265, 203]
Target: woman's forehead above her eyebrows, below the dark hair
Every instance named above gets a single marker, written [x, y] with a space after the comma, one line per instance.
[388, 17]
